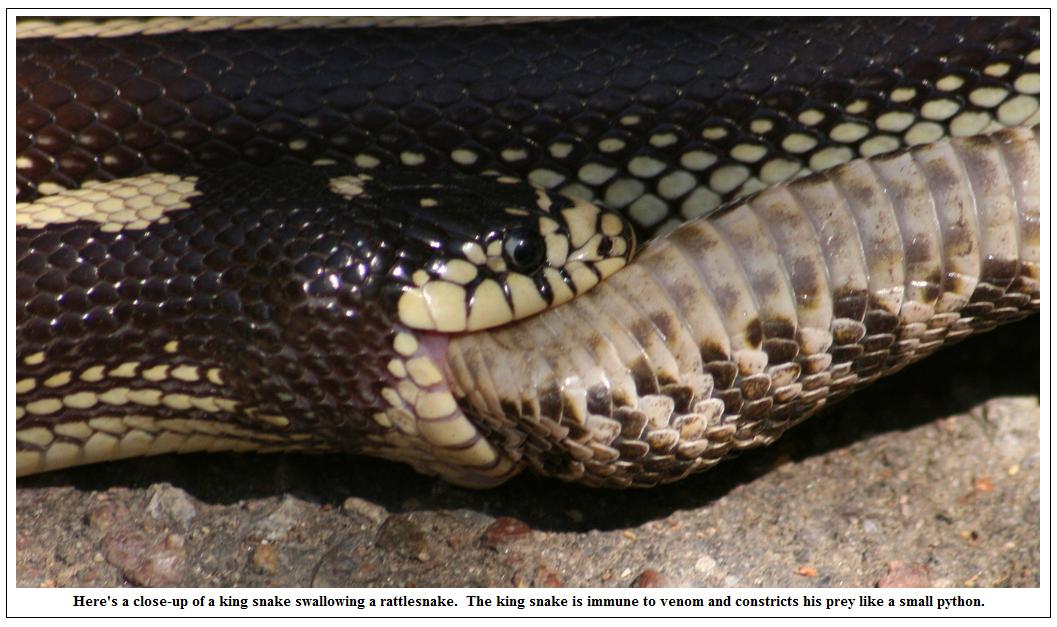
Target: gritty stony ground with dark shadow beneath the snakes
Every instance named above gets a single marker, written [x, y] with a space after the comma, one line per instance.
[931, 478]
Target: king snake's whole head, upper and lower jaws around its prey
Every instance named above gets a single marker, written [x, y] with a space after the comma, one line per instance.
[456, 255]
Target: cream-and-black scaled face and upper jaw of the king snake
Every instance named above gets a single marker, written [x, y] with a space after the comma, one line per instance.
[543, 261]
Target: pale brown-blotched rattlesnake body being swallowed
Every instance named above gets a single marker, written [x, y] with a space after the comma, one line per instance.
[736, 327]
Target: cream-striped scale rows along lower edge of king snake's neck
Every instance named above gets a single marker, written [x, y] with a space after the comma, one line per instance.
[103, 390]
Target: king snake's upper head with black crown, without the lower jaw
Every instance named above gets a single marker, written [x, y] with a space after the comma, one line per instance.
[502, 250]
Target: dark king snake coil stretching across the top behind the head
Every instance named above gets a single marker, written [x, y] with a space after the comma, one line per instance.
[662, 119]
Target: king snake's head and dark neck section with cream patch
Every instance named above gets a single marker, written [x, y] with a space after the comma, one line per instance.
[255, 312]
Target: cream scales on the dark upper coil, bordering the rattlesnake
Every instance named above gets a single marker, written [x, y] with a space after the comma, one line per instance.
[632, 188]
